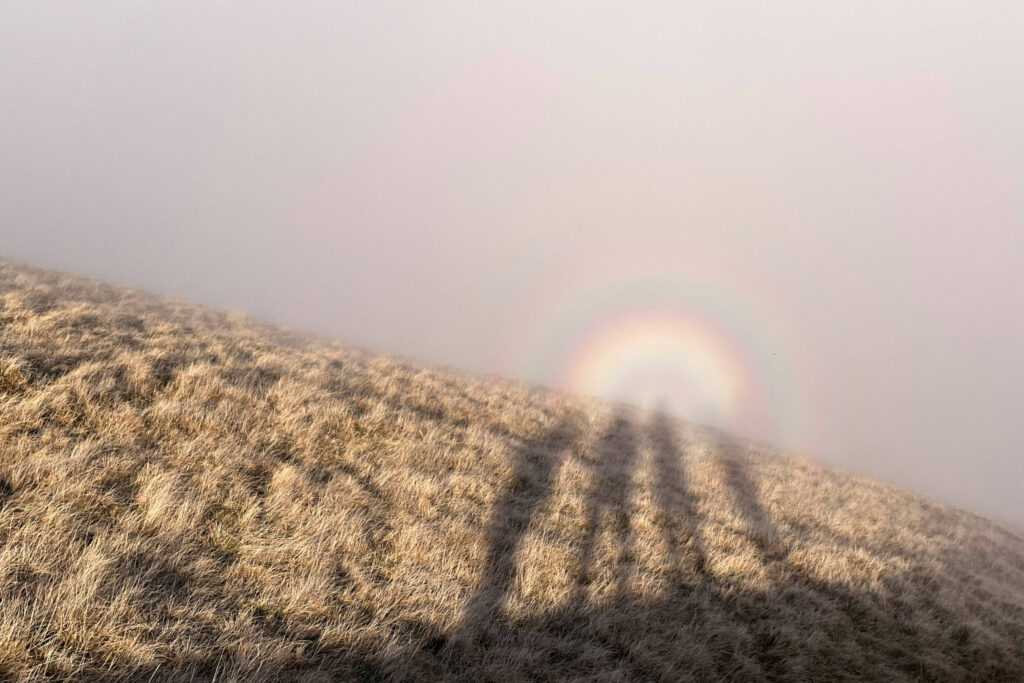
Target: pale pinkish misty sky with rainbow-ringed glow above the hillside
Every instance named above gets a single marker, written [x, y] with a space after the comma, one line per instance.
[802, 222]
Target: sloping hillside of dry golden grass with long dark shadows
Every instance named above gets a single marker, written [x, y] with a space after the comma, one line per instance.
[190, 495]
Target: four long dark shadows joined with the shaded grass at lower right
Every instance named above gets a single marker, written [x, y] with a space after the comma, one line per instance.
[701, 624]
